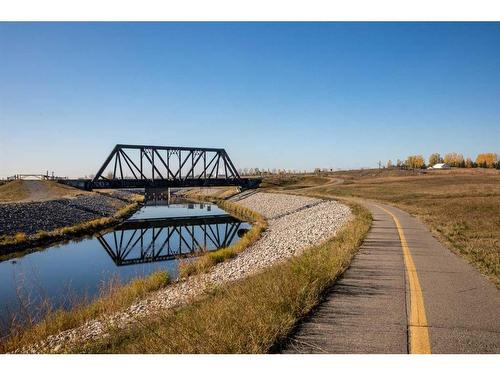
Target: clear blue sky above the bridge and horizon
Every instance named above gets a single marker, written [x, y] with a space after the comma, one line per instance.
[275, 95]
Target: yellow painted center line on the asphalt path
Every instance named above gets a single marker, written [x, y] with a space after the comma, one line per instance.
[419, 332]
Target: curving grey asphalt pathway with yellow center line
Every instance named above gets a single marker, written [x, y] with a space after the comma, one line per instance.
[369, 310]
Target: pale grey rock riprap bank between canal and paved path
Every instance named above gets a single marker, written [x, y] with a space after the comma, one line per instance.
[294, 224]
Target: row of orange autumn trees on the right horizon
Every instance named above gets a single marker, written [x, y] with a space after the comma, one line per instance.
[453, 159]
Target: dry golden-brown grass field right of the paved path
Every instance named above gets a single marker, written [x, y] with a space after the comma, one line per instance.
[460, 206]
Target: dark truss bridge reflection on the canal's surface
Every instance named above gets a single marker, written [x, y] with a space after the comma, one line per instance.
[154, 240]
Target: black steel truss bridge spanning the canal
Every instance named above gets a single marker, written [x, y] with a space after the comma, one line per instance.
[140, 166]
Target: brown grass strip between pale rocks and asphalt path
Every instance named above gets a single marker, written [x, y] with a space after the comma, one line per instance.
[253, 315]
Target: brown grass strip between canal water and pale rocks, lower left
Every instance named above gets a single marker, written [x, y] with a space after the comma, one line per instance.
[113, 297]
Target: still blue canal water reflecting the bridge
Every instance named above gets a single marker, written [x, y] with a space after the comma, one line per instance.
[155, 238]
